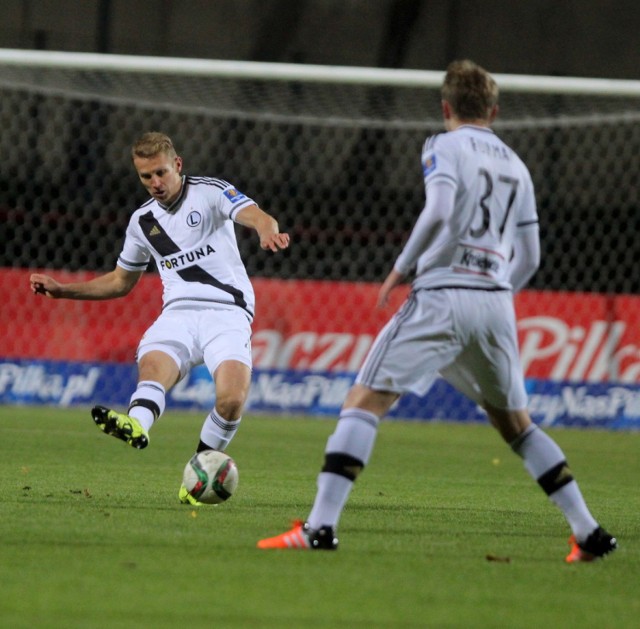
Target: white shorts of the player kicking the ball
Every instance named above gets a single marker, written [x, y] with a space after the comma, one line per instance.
[192, 337]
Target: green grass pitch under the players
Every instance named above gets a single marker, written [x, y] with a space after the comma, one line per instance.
[92, 535]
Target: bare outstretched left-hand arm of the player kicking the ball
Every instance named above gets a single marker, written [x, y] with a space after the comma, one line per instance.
[117, 283]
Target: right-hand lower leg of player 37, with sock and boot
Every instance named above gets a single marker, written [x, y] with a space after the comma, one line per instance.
[547, 465]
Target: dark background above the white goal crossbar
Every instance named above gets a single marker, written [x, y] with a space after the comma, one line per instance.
[555, 37]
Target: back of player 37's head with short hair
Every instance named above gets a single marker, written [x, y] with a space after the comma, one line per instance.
[470, 90]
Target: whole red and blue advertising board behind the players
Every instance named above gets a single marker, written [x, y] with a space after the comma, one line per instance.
[580, 352]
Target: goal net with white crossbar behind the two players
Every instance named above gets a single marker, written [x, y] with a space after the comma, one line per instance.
[333, 153]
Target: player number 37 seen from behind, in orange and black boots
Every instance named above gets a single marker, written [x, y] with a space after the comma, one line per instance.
[474, 244]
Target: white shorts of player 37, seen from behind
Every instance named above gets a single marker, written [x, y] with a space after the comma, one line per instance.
[466, 336]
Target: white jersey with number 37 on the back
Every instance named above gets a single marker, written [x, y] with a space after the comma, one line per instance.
[471, 243]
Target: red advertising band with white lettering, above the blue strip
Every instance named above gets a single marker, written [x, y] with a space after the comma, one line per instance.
[323, 326]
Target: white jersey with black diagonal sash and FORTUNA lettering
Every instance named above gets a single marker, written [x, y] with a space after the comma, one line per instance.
[194, 245]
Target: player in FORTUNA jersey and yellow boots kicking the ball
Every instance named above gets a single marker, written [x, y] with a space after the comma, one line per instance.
[187, 227]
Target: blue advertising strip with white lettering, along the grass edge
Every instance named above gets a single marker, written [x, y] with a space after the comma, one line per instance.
[60, 383]
